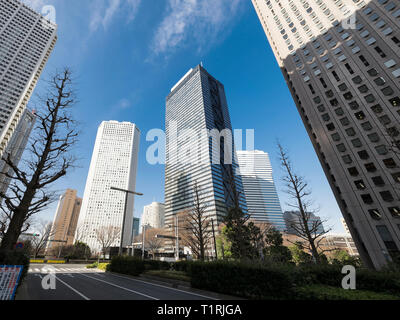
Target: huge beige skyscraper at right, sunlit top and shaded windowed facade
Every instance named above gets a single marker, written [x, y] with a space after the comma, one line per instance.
[341, 62]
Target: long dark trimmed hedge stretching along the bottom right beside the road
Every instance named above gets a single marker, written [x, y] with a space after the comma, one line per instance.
[285, 281]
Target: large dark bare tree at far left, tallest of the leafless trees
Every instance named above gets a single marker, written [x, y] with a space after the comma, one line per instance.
[49, 159]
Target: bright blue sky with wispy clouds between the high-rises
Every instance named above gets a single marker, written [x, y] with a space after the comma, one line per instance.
[127, 54]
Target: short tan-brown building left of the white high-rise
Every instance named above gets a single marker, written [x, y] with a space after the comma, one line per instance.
[65, 220]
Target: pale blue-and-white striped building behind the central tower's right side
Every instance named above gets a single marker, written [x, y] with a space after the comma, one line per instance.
[259, 188]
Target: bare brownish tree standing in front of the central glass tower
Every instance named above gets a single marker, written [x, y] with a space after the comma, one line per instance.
[197, 230]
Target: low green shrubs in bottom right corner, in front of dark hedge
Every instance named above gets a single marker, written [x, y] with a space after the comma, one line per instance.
[319, 292]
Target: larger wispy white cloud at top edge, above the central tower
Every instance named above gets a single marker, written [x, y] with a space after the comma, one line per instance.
[198, 20]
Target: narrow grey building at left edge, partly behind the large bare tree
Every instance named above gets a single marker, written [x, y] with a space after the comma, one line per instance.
[16, 147]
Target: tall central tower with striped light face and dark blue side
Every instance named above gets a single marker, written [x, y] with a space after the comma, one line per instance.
[195, 107]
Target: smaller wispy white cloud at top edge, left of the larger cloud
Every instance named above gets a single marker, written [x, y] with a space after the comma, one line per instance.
[104, 11]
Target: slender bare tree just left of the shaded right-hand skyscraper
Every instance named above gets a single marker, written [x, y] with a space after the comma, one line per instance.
[306, 227]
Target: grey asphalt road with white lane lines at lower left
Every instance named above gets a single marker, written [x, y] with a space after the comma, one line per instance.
[75, 282]
